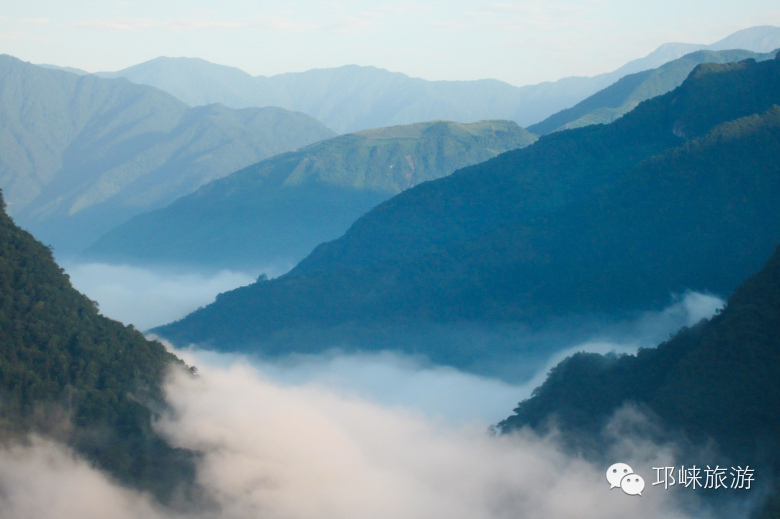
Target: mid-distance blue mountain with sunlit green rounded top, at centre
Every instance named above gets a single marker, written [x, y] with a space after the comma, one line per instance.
[274, 213]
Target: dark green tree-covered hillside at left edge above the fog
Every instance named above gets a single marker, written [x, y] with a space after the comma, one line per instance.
[68, 373]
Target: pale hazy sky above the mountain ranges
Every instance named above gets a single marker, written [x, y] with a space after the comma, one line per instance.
[521, 42]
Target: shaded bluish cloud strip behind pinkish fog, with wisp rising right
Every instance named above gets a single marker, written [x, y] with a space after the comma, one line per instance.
[456, 397]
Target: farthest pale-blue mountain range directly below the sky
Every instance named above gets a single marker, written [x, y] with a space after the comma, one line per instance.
[352, 98]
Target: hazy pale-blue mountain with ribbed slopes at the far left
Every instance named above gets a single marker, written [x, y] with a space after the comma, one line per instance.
[82, 154]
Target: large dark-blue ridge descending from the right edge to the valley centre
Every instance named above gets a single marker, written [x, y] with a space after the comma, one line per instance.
[678, 194]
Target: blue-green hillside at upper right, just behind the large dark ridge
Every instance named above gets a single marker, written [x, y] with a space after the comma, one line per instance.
[624, 95]
